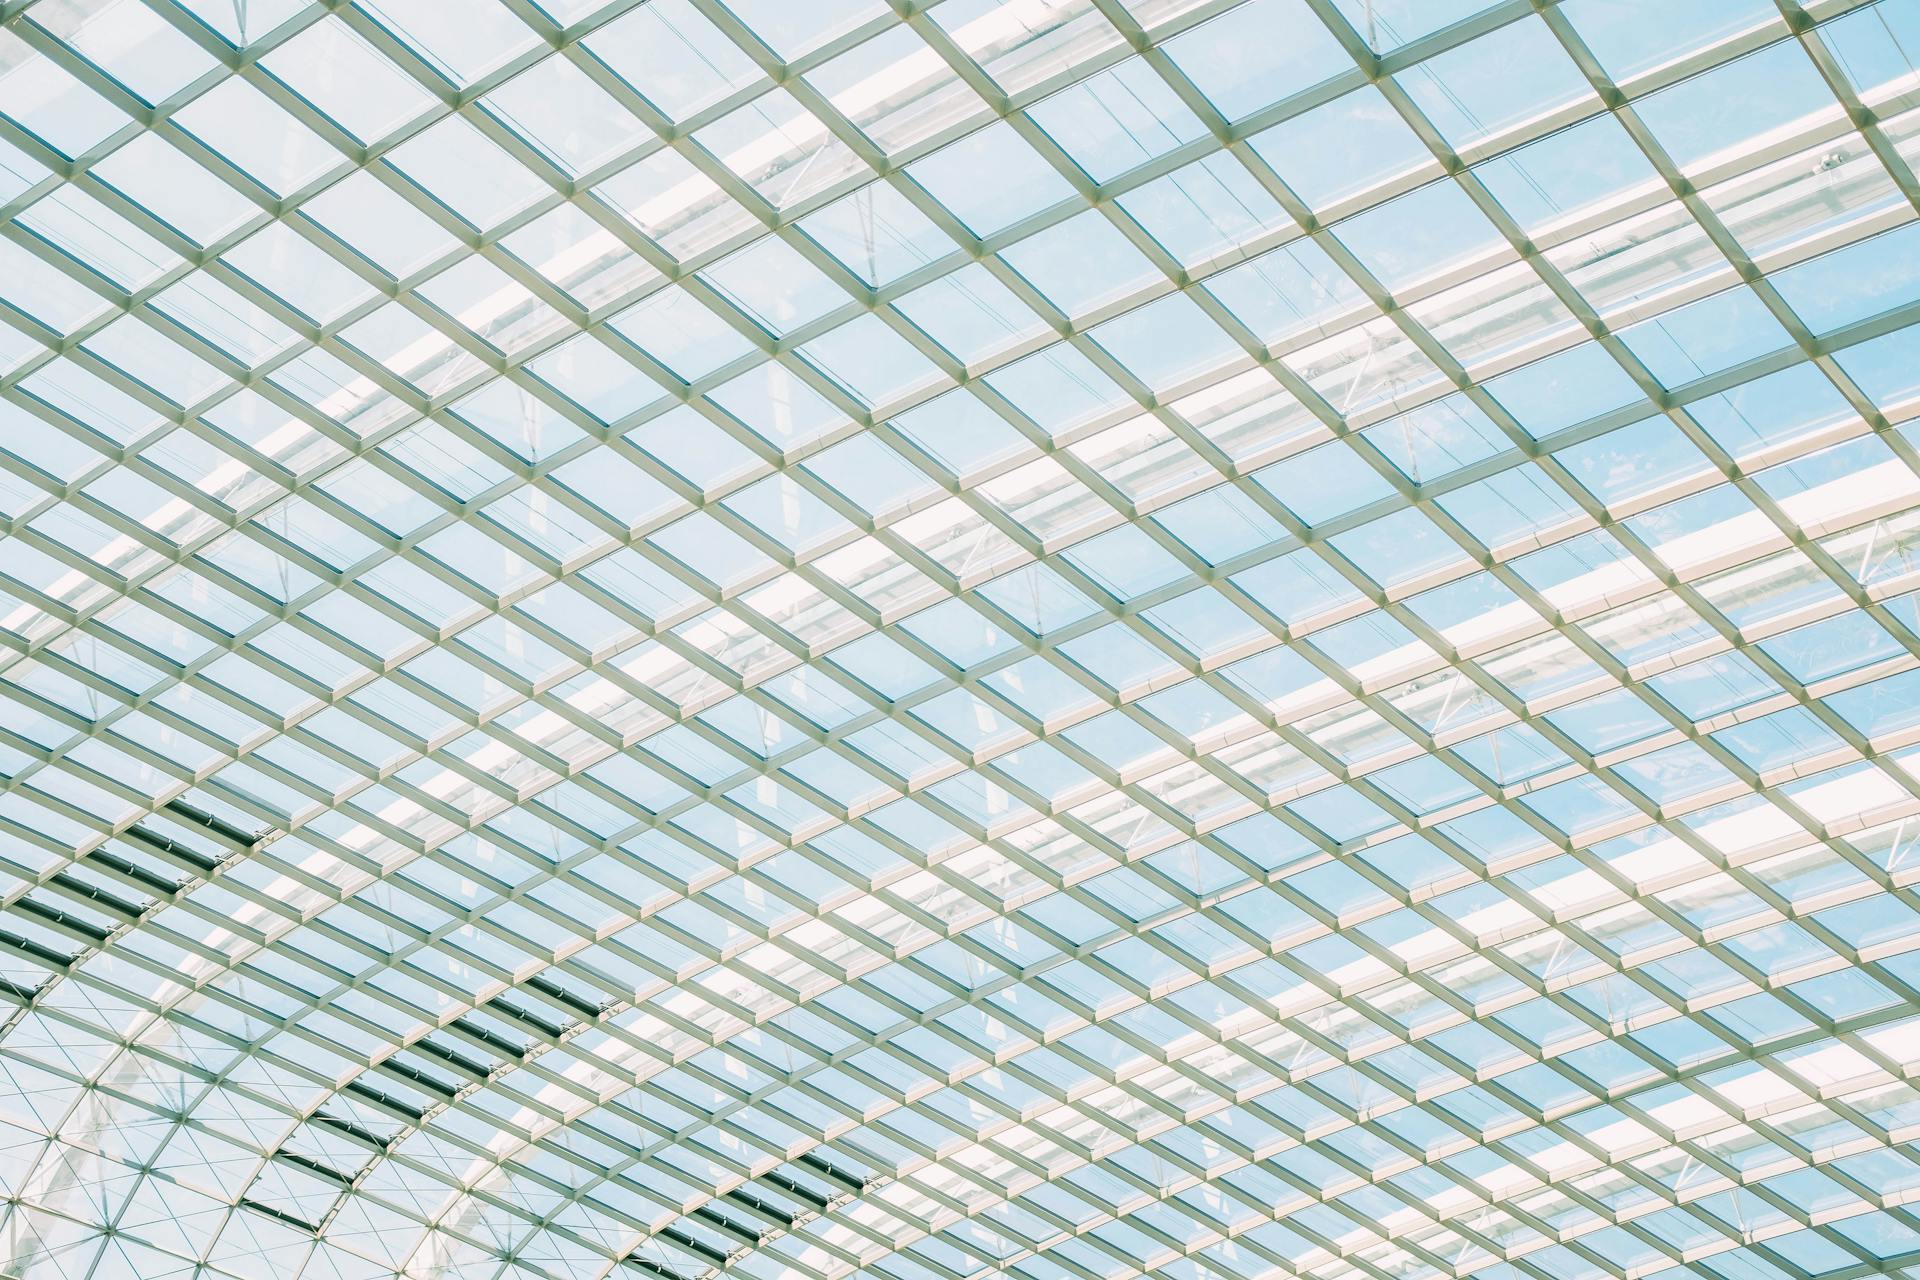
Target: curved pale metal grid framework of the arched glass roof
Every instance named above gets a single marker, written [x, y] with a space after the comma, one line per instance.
[938, 1012]
